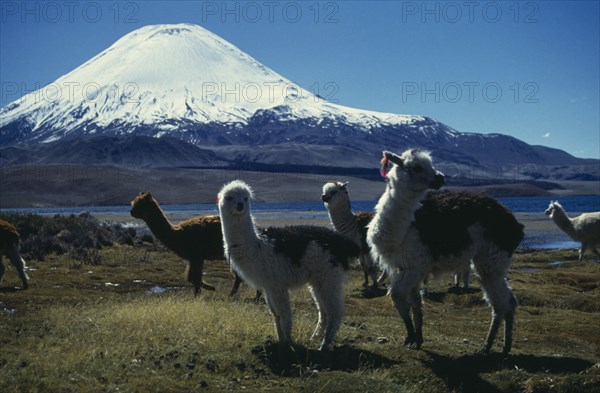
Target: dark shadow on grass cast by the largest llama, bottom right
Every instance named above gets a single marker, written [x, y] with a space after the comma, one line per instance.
[462, 373]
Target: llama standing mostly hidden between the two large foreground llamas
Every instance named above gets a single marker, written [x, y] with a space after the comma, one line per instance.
[352, 225]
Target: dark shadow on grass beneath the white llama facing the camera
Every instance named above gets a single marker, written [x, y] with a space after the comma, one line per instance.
[299, 360]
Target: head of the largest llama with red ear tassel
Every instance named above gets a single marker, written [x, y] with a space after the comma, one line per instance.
[412, 170]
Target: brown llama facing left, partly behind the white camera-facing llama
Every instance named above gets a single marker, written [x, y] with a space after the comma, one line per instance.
[195, 240]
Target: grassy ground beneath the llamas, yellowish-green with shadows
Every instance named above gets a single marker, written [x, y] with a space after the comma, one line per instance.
[86, 327]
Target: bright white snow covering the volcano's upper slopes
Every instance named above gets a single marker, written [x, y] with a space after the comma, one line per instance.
[162, 75]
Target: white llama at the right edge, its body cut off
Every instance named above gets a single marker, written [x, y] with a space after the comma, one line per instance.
[584, 228]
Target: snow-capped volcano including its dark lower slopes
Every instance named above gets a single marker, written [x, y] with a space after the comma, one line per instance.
[184, 82]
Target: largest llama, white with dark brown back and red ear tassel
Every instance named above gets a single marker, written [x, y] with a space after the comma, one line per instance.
[413, 237]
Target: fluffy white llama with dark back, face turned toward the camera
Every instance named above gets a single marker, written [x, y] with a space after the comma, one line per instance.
[278, 259]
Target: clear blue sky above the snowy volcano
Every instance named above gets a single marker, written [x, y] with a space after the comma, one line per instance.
[530, 69]
